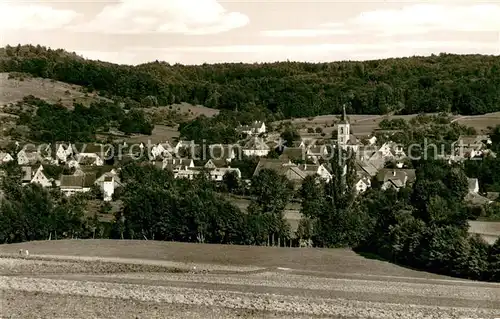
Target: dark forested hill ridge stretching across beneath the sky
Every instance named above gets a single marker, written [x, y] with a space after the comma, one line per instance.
[465, 84]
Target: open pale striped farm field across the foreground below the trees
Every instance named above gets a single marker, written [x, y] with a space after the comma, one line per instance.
[145, 279]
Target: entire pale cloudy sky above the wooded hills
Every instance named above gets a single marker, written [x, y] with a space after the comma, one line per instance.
[216, 31]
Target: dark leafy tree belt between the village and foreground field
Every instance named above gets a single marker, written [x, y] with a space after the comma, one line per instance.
[424, 227]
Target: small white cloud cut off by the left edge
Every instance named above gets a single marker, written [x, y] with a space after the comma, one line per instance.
[33, 17]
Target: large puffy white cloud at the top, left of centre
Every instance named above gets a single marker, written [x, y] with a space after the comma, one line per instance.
[194, 17]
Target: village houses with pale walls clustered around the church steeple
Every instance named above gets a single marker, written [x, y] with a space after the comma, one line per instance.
[86, 166]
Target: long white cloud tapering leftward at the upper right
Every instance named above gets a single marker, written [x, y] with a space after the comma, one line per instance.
[409, 20]
